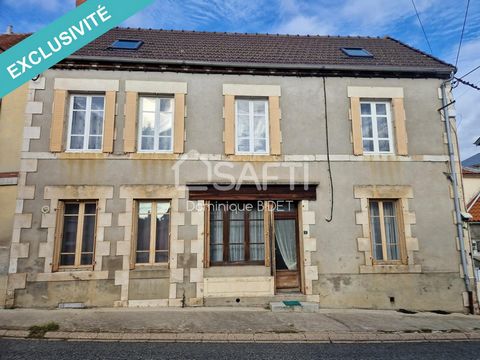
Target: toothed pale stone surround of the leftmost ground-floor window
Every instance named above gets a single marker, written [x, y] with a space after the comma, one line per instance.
[49, 221]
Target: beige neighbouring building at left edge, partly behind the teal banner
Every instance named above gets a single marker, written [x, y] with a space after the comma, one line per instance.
[12, 118]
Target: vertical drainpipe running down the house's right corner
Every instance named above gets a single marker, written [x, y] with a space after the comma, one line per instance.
[456, 196]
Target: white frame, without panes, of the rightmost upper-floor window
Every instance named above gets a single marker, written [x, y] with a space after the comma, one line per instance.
[375, 138]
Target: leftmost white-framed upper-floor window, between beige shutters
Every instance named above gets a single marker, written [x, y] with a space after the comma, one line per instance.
[86, 122]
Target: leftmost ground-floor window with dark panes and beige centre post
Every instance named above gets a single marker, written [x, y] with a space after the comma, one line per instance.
[78, 224]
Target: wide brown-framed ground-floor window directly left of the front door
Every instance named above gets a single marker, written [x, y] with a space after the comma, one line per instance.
[237, 233]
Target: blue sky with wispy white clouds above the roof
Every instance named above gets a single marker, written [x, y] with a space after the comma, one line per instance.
[442, 21]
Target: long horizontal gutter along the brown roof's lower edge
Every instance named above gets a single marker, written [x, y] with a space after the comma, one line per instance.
[139, 61]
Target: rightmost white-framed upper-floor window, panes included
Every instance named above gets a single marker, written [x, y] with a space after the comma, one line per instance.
[376, 127]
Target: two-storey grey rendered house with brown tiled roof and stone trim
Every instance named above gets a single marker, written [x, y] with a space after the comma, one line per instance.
[141, 125]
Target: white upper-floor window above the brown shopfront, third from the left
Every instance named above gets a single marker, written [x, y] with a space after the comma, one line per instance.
[251, 126]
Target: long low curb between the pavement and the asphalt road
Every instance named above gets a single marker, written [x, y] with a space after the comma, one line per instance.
[309, 337]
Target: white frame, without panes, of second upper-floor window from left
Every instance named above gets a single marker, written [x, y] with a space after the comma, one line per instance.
[157, 125]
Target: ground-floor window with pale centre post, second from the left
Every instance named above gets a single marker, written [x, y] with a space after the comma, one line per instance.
[152, 232]
